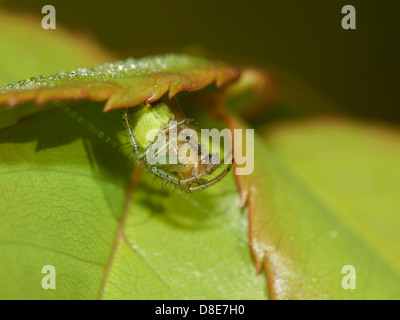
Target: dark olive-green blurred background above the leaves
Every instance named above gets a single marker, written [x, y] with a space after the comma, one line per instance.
[359, 69]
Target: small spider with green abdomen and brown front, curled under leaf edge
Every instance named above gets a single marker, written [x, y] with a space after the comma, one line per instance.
[171, 149]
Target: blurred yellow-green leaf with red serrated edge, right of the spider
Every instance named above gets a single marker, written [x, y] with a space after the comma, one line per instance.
[323, 196]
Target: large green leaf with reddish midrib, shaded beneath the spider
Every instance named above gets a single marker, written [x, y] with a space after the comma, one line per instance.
[71, 204]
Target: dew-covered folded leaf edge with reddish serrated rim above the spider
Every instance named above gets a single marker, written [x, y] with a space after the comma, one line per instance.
[124, 83]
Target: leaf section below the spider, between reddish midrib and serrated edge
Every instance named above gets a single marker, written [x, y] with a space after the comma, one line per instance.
[184, 247]
